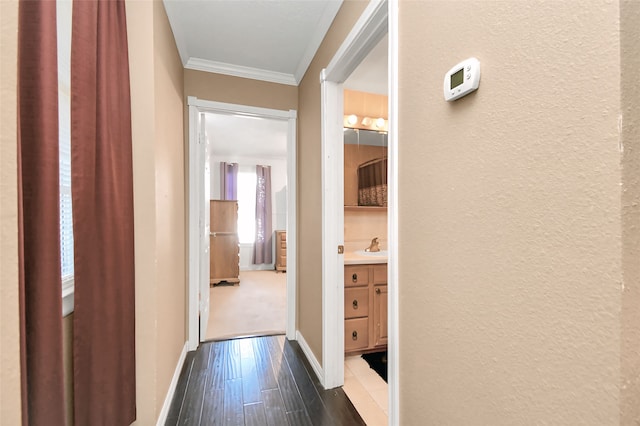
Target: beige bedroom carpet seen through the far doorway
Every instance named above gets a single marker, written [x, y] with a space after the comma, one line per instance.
[255, 307]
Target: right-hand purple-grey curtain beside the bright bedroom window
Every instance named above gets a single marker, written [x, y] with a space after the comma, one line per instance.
[262, 246]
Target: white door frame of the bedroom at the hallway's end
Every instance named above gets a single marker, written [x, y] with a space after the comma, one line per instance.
[197, 106]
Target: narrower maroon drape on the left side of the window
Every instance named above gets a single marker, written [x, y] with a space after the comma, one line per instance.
[40, 284]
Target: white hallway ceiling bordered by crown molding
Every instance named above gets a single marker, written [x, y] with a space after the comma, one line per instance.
[273, 40]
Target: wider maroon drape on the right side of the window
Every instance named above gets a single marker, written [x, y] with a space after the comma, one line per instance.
[102, 188]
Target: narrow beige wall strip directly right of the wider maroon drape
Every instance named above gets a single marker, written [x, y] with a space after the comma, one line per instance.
[141, 53]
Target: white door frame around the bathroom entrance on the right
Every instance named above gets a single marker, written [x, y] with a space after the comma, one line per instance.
[378, 19]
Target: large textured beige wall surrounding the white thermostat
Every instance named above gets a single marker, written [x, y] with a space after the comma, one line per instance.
[510, 215]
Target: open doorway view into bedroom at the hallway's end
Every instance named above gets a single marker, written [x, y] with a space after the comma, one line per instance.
[248, 295]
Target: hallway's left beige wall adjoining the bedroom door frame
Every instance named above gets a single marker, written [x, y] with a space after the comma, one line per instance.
[170, 179]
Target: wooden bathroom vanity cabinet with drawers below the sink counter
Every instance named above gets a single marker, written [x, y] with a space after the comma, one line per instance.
[365, 308]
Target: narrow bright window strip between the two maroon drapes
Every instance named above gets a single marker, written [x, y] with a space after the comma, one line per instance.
[64, 8]
